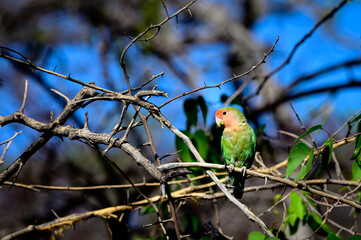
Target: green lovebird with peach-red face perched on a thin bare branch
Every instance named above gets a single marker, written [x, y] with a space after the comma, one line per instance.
[238, 145]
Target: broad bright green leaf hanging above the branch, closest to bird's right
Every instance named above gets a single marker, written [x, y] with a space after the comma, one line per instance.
[298, 153]
